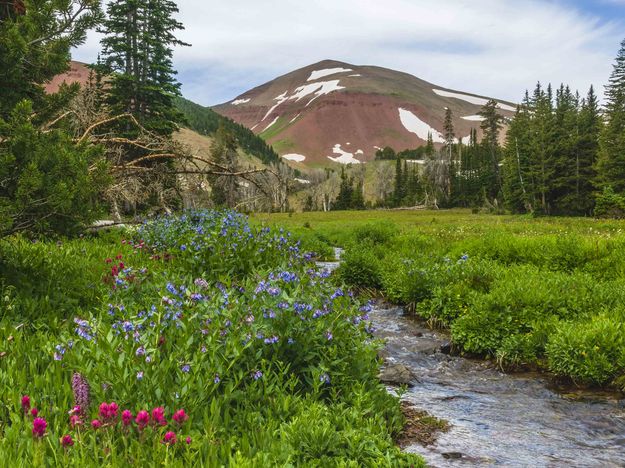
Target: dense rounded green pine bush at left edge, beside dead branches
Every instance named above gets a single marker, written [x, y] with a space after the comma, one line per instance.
[50, 184]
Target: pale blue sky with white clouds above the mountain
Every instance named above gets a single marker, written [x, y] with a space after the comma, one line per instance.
[497, 48]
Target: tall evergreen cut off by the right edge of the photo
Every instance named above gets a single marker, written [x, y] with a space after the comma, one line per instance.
[611, 164]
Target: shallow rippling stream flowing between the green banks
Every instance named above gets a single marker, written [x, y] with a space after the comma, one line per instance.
[498, 419]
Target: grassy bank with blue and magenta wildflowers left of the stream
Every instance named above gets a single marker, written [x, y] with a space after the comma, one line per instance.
[197, 341]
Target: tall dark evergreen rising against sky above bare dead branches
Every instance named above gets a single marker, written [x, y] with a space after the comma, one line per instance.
[137, 50]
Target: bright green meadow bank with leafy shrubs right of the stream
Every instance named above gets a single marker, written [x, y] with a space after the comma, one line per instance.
[546, 292]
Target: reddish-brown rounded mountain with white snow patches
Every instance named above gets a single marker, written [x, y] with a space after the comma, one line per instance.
[337, 112]
